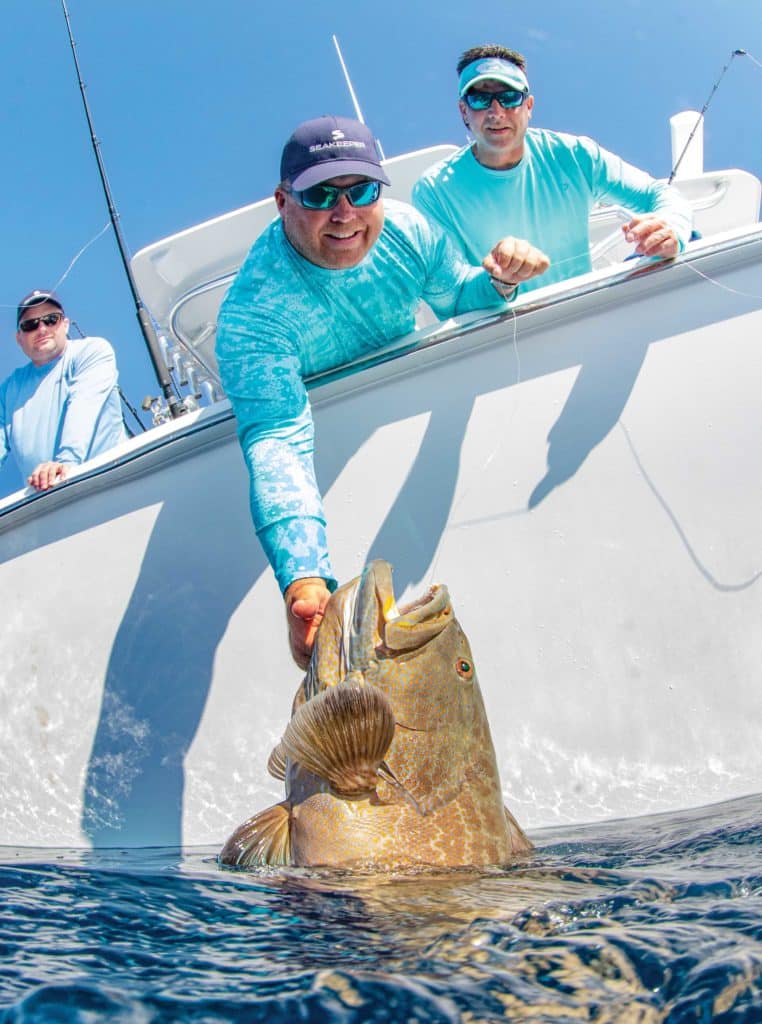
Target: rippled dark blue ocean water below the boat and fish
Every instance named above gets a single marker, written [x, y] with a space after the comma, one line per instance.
[647, 920]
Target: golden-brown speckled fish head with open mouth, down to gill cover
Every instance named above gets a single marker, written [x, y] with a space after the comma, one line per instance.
[420, 659]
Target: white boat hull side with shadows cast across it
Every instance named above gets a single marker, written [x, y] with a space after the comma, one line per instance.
[590, 492]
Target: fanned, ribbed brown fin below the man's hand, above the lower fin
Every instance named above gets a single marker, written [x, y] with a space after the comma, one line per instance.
[343, 736]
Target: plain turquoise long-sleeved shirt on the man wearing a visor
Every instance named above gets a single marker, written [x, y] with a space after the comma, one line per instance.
[545, 199]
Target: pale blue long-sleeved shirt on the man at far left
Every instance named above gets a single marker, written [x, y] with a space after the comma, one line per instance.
[66, 411]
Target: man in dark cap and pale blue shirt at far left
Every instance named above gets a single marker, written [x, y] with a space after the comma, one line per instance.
[63, 407]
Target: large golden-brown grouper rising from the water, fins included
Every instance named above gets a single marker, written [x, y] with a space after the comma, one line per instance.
[389, 760]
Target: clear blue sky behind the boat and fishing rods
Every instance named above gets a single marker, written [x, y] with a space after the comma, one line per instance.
[193, 103]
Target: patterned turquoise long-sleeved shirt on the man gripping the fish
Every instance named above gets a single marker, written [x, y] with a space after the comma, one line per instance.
[285, 319]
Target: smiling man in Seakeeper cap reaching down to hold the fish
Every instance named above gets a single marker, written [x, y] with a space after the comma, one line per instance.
[338, 276]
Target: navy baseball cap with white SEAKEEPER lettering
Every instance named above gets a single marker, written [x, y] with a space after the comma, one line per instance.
[327, 148]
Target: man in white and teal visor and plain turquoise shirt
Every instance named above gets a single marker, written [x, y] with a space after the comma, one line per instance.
[537, 186]
